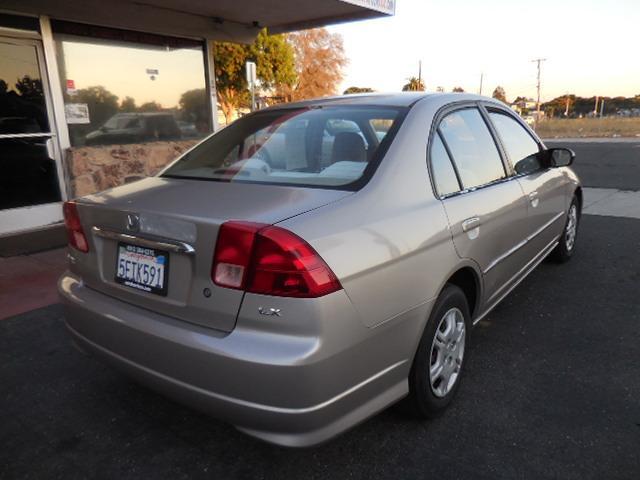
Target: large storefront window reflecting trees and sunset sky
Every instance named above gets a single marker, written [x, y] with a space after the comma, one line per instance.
[125, 87]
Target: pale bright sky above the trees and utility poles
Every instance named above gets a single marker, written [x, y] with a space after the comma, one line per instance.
[590, 46]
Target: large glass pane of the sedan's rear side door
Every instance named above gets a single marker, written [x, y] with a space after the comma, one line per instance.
[472, 147]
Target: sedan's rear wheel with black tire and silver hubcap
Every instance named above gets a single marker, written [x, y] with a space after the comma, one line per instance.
[442, 353]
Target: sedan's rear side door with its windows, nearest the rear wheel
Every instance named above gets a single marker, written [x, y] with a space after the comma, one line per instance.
[485, 205]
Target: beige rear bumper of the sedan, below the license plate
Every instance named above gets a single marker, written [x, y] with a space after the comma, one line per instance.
[289, 389]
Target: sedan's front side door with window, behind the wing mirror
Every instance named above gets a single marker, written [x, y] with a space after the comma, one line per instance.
[542, 186]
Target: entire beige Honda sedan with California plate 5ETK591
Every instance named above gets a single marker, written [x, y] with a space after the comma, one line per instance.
[313, 263]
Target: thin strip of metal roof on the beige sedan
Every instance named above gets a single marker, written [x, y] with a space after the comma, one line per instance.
[399, 99]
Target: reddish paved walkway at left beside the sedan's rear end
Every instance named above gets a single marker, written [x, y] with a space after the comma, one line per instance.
[28, 282]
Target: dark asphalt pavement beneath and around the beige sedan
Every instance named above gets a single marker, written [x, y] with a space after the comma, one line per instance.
[552, 391]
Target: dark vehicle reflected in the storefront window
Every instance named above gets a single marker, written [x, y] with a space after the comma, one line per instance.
[135, 128]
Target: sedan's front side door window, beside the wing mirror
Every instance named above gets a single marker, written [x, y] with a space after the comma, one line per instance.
[519, 145]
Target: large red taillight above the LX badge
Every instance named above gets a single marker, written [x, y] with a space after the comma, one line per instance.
[270, 260]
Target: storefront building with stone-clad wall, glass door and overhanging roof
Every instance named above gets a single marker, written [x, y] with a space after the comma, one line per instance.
[94, 94]
